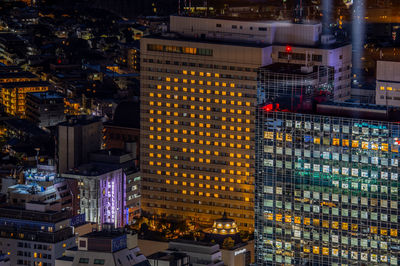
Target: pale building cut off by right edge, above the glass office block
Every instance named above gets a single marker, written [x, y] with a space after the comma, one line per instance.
[388, 83]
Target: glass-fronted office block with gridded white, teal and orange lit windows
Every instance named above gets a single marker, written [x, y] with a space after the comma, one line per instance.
[327, 186]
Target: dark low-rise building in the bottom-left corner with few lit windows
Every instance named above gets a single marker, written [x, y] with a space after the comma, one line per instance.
[34, 235]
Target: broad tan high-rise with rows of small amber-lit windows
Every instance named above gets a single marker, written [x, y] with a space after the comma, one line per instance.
[198, 102]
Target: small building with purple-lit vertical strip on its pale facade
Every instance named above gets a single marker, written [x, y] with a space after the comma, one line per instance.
[102, 194]
